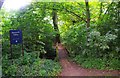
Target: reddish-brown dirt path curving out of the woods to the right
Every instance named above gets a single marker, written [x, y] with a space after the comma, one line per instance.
[70, 68]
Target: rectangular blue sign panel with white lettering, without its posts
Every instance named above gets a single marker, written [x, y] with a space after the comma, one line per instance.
[15, 36]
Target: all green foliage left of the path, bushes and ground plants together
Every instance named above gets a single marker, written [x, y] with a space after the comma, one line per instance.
[38, 36]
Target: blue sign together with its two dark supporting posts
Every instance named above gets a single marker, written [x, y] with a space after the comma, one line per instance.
[15, 38]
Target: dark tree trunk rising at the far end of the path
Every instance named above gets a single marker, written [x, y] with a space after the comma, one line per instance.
[57, 38]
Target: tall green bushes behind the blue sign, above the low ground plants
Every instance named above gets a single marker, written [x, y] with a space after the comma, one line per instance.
[38, 33]
